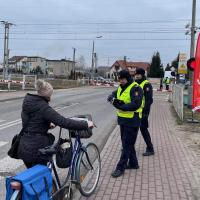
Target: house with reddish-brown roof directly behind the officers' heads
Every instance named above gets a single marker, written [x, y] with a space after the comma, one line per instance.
[131, 66]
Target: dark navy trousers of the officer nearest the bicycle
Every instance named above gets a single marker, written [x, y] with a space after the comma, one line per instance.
[128, 137]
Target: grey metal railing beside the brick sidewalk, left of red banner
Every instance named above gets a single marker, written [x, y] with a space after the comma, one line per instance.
[177, 99]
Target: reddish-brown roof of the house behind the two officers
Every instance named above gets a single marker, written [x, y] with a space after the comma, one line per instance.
[124, 64]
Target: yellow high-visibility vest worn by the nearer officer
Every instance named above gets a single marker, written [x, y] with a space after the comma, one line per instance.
[126, 98]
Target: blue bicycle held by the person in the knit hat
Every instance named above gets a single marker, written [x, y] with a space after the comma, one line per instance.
[84, 169]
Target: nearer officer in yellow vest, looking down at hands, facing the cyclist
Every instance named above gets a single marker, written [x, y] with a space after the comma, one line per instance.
[127, 99]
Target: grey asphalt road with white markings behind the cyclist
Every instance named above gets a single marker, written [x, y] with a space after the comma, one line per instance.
[68, 102]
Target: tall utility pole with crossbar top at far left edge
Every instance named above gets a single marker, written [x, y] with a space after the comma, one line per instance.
[6, 50]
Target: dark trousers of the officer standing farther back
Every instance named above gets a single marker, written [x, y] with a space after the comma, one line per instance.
[145, 133]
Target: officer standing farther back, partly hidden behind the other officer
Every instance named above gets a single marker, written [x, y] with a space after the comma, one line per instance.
[140, 78]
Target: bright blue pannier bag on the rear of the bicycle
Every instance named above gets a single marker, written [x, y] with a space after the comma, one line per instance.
[36, 183]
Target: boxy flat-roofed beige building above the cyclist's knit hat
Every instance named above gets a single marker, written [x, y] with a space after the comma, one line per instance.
[60, 68]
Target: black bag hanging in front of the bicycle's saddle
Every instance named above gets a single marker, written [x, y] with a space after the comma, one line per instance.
[64, 153]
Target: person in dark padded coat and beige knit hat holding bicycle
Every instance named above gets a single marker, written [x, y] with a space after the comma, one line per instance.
[37, 116]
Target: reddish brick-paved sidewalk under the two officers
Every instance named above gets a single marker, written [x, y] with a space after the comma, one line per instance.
[167, 175]
